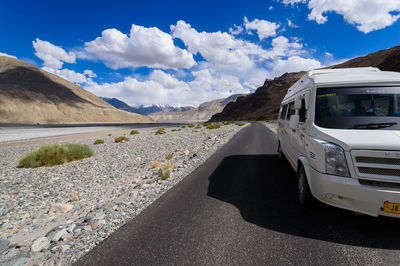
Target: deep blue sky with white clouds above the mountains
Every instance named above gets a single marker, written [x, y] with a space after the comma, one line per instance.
[188, 52]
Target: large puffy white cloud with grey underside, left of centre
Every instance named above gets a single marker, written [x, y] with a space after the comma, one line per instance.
[149, 47]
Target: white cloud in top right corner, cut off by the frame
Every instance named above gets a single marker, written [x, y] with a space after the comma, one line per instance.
[366, 15]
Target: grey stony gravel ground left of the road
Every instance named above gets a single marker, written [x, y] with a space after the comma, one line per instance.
[54, 215]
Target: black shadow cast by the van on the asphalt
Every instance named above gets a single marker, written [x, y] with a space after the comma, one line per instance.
[264, 191]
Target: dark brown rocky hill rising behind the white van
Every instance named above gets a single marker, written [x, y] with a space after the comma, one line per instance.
[265, 101]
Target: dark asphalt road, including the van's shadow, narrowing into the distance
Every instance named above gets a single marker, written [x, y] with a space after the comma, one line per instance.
[240, 208]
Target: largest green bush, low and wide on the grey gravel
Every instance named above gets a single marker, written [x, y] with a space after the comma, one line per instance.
[56, 154]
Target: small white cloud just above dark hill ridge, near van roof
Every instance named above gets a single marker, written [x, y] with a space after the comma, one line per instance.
[294, 64]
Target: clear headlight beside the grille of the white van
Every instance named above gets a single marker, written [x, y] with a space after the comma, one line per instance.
[335, 161]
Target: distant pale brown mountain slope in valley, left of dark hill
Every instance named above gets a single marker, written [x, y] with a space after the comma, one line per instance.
[191, 114]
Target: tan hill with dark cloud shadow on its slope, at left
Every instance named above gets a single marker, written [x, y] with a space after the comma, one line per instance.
[31, 95]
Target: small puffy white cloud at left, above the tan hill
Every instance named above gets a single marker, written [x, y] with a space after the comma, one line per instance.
[53, 56]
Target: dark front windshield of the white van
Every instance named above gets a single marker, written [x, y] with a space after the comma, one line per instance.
[358, 108]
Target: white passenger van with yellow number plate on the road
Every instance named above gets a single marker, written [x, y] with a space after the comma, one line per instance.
[340, 131]
